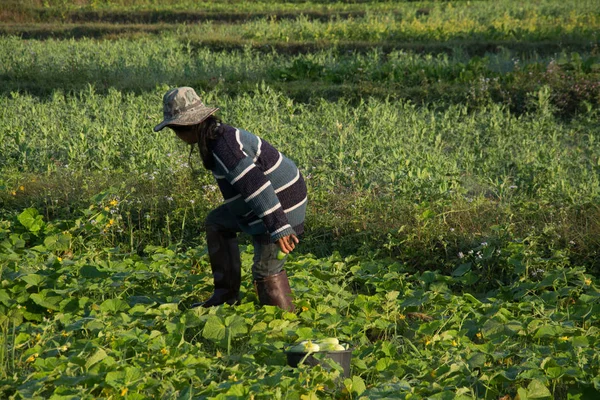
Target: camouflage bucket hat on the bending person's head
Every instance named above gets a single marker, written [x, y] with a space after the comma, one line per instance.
[182, 106]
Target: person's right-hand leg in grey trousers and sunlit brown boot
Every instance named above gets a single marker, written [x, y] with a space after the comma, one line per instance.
[270, 280]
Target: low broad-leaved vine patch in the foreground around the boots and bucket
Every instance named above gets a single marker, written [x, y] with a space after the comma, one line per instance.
[98, 324]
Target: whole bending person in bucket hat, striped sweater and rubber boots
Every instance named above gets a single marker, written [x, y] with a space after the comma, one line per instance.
[264, 196]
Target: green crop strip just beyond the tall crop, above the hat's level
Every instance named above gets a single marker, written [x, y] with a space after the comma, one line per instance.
[506, 78]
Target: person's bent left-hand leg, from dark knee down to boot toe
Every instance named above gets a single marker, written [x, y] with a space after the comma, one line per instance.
[224, 255]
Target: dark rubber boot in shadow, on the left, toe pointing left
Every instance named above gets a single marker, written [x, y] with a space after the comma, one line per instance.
[226, 265]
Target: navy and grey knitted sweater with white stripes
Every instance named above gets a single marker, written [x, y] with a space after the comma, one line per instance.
[261, 187]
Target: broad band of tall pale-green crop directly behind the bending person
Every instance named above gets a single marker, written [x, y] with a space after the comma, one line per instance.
[390, 175]
